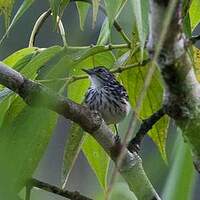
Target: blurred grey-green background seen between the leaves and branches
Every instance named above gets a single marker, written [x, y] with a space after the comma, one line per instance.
[177, 178]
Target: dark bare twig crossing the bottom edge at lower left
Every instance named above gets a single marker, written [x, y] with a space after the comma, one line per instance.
[53, 189]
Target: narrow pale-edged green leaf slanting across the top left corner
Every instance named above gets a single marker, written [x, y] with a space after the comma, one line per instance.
[23, 8]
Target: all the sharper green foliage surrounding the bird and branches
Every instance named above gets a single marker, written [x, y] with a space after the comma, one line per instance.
[24, 136]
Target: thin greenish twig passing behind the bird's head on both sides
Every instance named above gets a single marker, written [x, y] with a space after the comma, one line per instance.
[72, 79]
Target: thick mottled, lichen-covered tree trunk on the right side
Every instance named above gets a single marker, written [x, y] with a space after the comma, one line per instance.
[182, 90]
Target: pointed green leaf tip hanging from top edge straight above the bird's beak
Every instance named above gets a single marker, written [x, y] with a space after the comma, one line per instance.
[83, 8]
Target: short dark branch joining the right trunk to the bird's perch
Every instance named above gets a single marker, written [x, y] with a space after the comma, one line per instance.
[135, 143]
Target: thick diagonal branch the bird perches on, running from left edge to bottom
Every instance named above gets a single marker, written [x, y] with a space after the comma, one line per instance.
[35, 94]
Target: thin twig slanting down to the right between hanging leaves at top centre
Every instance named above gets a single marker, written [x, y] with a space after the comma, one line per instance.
[115, 23]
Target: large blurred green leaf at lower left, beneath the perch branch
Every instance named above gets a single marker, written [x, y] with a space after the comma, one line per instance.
[24, 135]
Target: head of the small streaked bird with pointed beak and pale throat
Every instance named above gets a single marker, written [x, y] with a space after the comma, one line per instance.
[100, 76]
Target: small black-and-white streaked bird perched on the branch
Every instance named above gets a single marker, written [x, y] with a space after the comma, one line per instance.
[106, 95]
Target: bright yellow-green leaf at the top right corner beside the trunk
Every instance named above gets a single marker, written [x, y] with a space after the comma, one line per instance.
[194, 13]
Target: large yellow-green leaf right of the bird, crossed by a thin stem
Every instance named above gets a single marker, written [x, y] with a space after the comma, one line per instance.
[133, 80]
